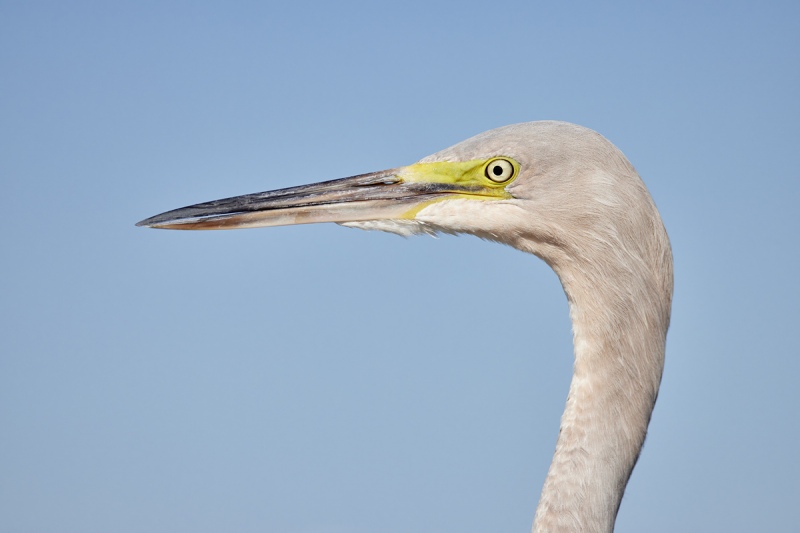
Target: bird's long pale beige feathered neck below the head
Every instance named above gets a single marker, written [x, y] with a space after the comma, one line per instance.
[619, 333]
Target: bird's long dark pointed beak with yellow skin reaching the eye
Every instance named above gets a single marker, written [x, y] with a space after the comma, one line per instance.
[389, 194]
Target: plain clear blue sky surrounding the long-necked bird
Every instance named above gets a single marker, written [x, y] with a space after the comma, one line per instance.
[319, 379]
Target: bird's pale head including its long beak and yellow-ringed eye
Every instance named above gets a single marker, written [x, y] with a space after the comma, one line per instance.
[548, 188]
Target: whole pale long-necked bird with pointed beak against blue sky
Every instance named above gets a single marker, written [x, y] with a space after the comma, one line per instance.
[561, 192]
